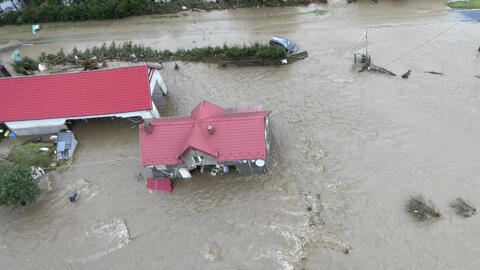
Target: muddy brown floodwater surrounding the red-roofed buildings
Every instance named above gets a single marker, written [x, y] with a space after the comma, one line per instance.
[350, 147]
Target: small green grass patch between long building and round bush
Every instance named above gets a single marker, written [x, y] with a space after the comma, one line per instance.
[29, 154]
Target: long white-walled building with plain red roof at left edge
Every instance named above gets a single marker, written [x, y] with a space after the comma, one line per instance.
[41, 104]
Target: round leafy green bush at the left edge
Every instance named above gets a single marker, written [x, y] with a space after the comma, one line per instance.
[17, 184]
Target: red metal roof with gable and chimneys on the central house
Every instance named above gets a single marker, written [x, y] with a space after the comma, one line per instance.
[236, 136]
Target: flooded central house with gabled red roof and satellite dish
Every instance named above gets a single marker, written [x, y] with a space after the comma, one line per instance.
[212, 138]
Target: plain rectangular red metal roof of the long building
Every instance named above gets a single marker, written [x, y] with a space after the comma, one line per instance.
[74, 94]
